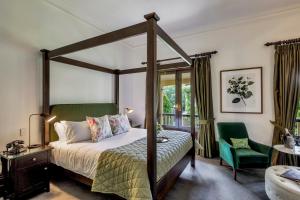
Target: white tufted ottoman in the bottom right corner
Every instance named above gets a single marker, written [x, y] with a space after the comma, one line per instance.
[278, 188]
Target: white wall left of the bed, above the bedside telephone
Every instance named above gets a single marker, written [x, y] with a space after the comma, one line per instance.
[20, 86]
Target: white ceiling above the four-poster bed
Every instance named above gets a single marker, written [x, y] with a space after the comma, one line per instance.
[54, 23]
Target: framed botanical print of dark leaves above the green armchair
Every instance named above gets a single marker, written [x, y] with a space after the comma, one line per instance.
[241, 90]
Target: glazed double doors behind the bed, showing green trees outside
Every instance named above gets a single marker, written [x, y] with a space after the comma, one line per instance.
[175, 100]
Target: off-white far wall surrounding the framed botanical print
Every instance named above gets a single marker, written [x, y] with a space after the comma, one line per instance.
[239, 46]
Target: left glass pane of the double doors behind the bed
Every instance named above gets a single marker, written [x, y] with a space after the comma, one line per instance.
[168, 99]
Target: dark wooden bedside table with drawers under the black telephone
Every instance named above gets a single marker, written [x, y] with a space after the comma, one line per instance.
[26, 173]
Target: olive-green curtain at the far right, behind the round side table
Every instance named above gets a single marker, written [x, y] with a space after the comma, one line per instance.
[286, 90]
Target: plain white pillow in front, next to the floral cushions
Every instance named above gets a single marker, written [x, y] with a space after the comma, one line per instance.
[77, 131]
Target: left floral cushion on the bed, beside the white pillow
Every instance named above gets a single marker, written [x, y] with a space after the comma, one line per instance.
[100, 128]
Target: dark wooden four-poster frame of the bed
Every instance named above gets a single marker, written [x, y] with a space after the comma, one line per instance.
[151, 28]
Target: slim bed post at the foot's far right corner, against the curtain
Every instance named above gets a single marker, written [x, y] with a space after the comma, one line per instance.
[193, 132]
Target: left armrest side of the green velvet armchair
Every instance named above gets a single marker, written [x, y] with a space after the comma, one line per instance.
[227, 152]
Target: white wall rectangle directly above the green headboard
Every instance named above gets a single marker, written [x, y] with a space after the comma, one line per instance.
[69, 84]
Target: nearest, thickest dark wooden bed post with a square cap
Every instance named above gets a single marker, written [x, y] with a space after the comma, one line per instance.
[151, 81]
